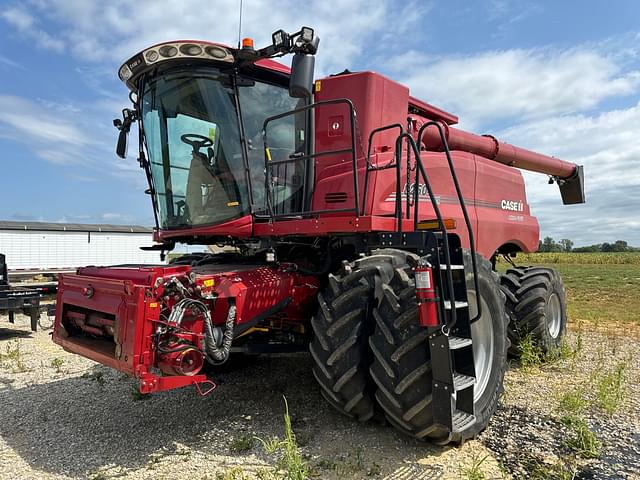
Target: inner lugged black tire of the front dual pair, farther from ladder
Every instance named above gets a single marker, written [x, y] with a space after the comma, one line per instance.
[342, 326]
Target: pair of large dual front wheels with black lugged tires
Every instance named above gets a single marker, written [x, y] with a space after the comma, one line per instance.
[370, 353]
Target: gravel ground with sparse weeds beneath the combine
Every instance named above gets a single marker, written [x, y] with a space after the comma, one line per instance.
[67, 417]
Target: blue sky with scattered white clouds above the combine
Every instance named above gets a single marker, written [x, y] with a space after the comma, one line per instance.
[559, 77]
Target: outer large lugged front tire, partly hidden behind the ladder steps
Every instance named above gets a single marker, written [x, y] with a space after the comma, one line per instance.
[402, 363]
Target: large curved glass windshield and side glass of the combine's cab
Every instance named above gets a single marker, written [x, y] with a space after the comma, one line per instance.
[191, 123]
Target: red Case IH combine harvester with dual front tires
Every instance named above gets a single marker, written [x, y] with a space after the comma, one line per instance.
[369, 240]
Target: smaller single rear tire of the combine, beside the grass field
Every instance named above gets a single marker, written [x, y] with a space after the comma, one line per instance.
[536, 306]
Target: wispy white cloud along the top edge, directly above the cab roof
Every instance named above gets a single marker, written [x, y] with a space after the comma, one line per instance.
[115, 30]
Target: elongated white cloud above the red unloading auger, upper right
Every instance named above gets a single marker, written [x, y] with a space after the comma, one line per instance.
[534, 83]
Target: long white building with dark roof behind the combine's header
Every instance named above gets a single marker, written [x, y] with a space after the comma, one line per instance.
[66, 246]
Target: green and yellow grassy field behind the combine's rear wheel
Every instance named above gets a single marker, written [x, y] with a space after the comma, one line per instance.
[602, 288]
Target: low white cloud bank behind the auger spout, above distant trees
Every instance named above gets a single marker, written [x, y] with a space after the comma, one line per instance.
[606, 144]
